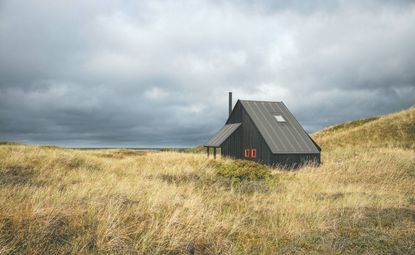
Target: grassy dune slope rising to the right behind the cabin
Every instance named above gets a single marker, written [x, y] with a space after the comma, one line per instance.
[395, 130]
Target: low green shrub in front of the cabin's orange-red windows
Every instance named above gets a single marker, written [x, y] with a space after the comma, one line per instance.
[242, 170]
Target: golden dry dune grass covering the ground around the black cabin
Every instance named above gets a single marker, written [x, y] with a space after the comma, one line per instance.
[361, 200]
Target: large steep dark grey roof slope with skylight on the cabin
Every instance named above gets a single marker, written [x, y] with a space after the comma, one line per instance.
[281, 137]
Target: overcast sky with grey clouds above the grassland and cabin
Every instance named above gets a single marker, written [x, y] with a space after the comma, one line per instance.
[155, 73]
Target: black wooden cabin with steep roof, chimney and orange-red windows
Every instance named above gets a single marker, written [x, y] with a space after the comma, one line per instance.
[265, 132]
